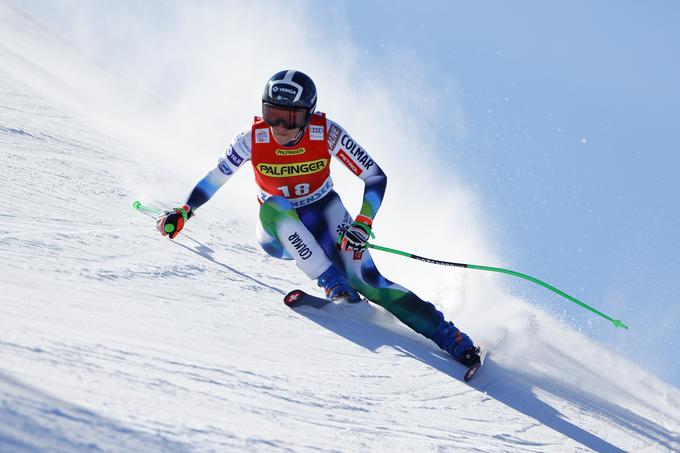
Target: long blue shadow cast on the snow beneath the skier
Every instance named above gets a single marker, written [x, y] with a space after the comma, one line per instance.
[510, 387]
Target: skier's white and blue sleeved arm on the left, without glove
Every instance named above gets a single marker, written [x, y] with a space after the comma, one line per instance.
[236, 155]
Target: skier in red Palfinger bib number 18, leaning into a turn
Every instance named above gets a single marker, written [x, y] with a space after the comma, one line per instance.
[302, 217]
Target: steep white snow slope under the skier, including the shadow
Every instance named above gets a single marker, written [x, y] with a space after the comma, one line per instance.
[113, 338]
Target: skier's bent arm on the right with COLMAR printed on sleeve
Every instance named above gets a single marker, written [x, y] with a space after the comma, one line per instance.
[359, 162]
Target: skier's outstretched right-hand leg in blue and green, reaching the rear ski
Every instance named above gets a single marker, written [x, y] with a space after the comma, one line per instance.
[364, 276]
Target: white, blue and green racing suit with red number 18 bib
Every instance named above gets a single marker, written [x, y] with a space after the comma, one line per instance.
[301, 216]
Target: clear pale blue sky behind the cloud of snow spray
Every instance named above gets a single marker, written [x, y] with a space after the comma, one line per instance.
[562, 117]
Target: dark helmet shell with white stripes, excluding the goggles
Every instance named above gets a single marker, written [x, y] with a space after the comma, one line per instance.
[291, 90]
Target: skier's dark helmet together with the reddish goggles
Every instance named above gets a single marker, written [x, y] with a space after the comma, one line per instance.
[286, 94]
